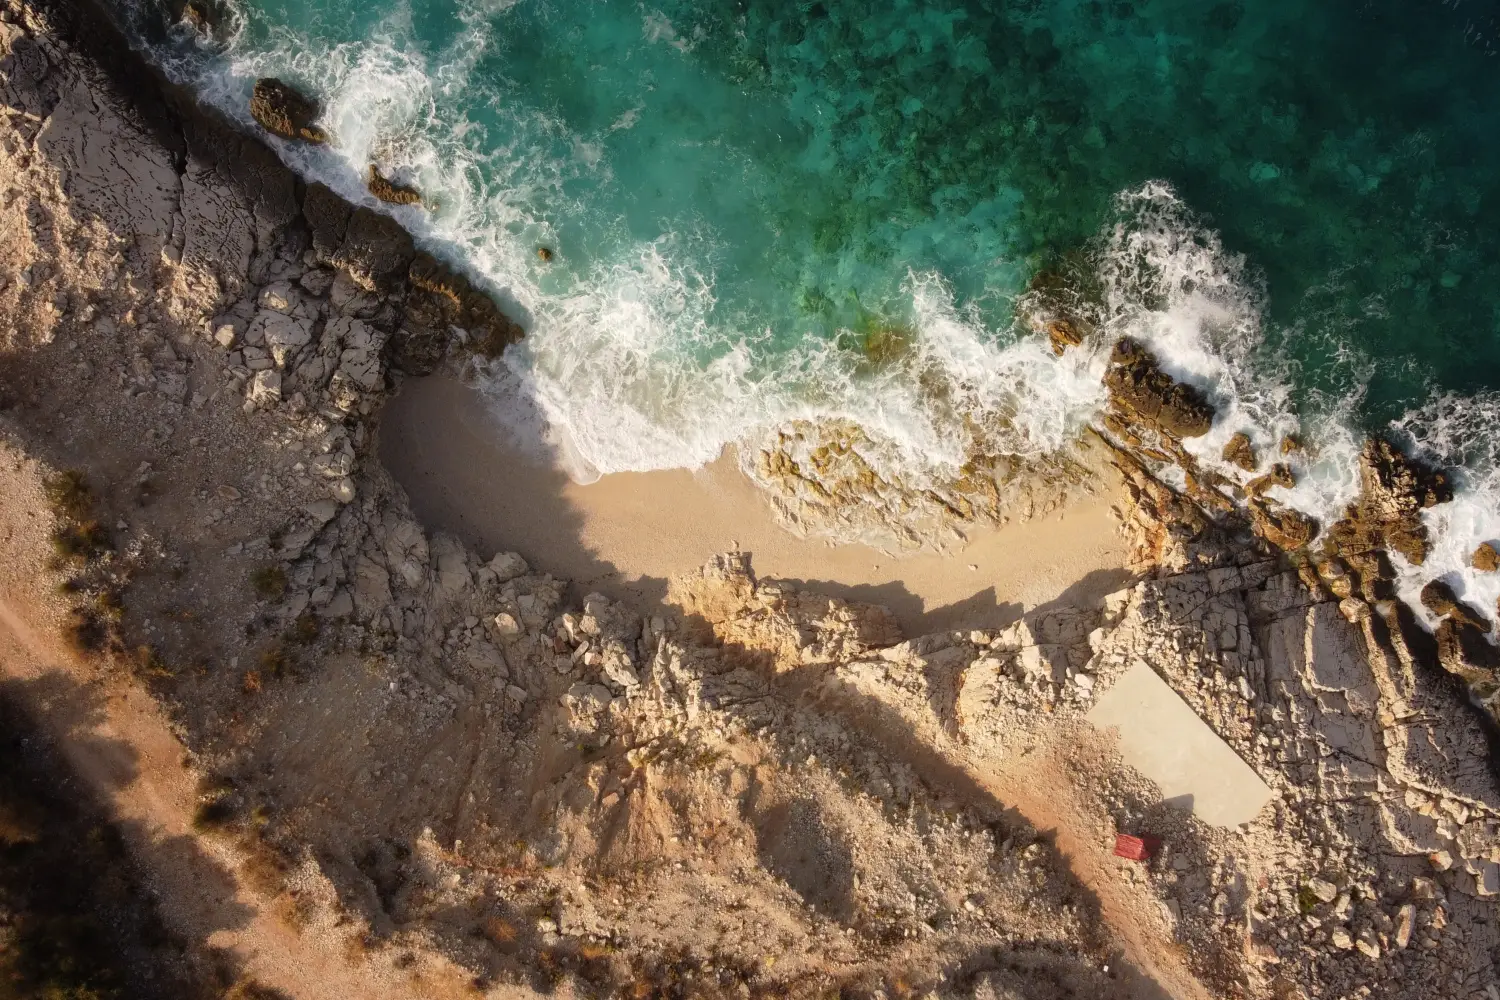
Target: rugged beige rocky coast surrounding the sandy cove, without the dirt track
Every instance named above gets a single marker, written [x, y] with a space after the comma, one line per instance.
[424, 753]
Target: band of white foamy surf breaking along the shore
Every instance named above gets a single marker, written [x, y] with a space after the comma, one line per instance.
[632, 364]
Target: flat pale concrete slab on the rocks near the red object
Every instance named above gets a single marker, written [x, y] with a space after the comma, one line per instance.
[1168, 743]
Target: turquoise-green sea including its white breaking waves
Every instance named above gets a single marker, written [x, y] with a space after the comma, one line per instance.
[1298, 205]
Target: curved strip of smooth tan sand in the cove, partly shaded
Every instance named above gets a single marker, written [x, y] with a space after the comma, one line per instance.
[629, 533]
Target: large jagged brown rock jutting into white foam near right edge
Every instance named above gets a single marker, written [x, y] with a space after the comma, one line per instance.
[1388, 515]
